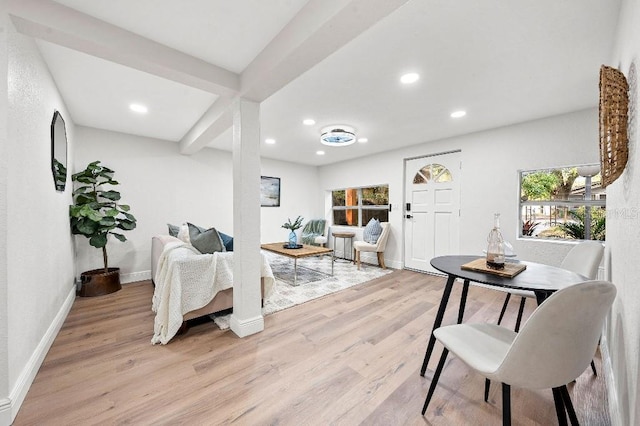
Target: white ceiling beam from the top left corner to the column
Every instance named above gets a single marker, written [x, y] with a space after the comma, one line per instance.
[50, 21]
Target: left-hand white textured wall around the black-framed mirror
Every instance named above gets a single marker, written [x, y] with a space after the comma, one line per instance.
[39, 249]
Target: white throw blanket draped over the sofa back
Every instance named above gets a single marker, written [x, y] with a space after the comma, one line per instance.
[187, 280]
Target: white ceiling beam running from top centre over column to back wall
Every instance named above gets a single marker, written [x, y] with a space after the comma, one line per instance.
[320, 28]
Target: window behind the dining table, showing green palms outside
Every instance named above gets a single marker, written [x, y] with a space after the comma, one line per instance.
[557, 203]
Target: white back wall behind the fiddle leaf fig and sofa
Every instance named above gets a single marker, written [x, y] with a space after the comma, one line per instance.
[162, 186]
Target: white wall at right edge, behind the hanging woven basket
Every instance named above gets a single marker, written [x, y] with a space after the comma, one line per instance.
[622, 336]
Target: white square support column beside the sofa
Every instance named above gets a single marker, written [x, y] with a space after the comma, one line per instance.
[247, 313]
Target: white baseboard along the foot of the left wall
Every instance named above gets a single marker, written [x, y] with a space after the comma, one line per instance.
[28, 374]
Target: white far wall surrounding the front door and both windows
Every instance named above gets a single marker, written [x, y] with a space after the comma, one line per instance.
[490, 162]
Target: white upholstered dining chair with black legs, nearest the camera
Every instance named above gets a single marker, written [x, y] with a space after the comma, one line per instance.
[553, 348]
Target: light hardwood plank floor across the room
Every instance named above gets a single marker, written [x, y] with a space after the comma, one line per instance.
[346, 359]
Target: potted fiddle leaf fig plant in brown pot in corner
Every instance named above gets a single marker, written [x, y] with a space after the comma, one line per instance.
[97, 214]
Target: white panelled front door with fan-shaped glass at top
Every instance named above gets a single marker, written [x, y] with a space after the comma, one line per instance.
[432, 209]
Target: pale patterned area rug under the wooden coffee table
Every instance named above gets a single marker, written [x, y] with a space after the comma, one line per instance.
[314, 280]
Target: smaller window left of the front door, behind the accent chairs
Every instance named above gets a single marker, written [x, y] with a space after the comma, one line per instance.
[356, 206]
